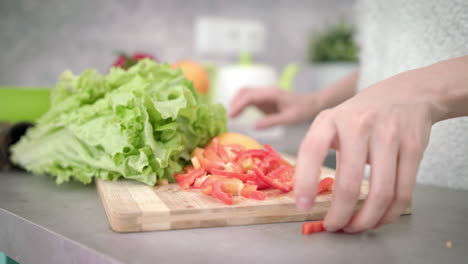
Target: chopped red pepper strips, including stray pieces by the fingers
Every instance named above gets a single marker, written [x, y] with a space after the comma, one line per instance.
[224, 171]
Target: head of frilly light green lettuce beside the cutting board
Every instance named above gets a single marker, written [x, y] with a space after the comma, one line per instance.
[141, 124]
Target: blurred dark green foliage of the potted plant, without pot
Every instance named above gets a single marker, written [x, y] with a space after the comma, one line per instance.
[334, 44]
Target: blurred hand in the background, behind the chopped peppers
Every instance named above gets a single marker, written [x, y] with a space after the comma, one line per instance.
[279, 106]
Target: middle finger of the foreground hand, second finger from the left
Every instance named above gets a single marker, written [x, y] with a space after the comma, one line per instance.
[350, 167]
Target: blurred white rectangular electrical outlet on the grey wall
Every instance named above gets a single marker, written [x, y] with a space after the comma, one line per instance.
[226, 36]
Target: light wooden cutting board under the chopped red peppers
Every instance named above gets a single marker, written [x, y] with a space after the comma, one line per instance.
[134, 207]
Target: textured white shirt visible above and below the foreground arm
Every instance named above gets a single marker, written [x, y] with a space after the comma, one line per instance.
[397, 36]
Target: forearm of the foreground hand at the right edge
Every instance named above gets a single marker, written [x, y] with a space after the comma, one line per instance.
[448, 85]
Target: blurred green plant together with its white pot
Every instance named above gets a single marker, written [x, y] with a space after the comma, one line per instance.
[332, 53]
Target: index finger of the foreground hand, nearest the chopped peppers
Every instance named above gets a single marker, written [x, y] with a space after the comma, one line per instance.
[311, 156]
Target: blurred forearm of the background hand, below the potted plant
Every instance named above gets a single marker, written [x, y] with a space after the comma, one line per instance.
[338, 92]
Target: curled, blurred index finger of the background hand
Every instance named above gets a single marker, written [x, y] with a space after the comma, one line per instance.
[251, 96]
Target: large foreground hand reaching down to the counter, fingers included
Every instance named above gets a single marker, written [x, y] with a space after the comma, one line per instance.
[387, 125]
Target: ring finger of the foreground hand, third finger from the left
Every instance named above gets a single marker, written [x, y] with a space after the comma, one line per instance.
[383, 153]
